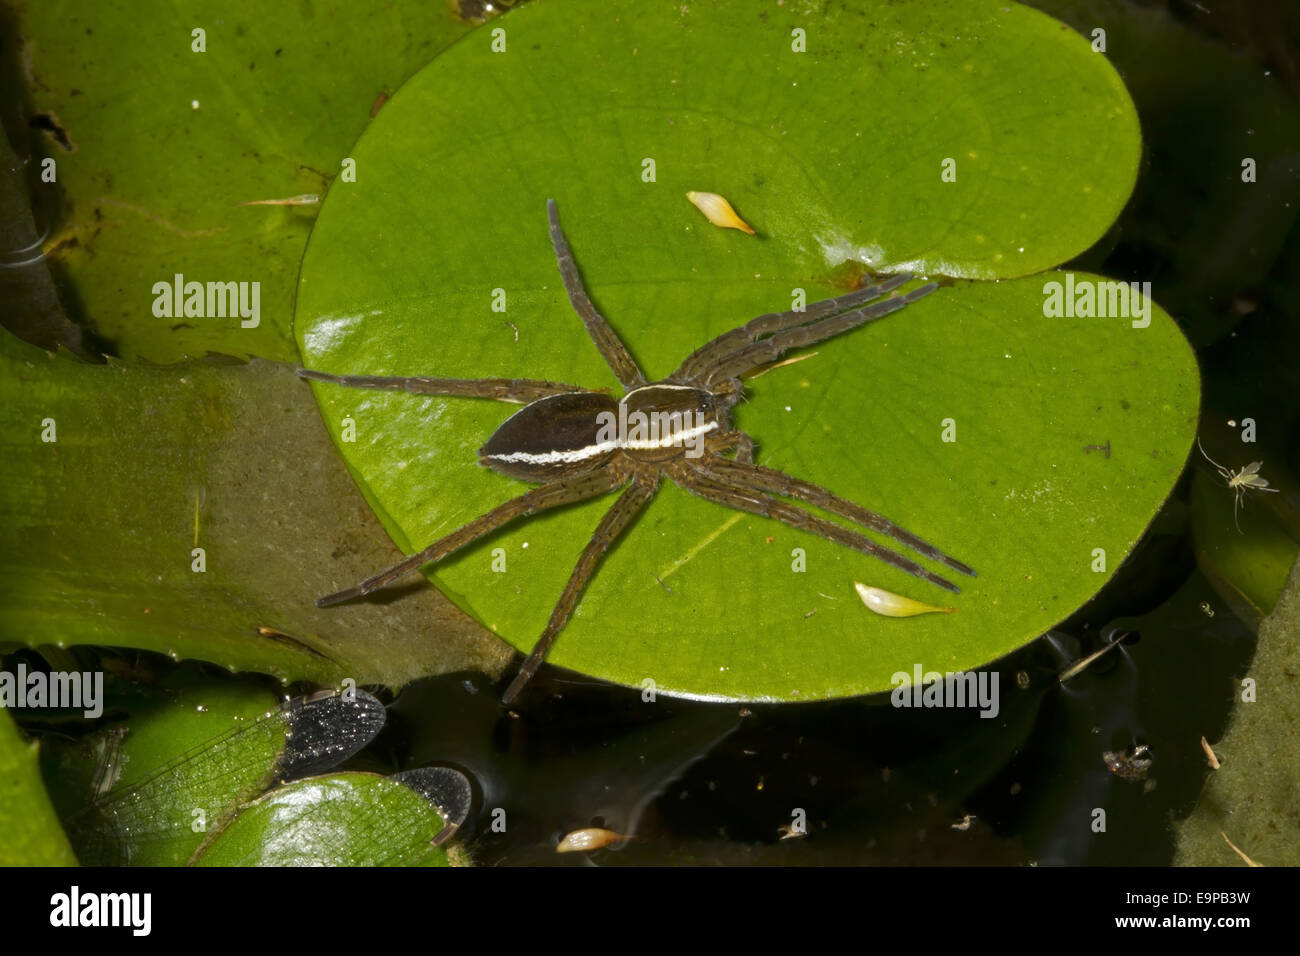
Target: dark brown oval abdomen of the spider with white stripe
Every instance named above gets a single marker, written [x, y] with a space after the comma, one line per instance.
[553, 438]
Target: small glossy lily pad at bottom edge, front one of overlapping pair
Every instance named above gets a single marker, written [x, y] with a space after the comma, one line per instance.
[344, 820]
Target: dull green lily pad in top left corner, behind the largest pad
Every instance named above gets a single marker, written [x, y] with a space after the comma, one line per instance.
[158, 145]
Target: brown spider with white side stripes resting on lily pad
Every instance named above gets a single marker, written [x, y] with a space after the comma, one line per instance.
[564, 442]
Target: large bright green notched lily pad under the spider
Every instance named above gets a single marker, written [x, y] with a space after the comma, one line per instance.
[401, 270]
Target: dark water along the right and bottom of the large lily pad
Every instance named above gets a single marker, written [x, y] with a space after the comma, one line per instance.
[879, 785]
